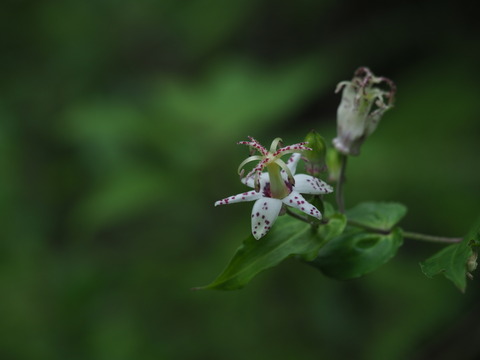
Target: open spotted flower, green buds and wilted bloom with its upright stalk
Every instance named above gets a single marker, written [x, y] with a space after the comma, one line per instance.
[275, 185]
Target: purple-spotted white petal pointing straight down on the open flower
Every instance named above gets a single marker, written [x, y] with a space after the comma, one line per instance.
[264, 213]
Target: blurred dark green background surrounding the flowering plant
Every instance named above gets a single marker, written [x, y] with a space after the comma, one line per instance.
[118, 123]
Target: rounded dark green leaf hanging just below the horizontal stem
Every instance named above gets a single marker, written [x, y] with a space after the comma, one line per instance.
[357, 252]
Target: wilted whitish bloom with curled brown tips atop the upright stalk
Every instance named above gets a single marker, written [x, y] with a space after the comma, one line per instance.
[361, 108]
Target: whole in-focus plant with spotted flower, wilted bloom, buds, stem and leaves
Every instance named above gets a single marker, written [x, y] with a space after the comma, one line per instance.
[372, 236]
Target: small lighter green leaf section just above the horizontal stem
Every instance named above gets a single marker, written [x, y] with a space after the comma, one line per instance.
[378, 215]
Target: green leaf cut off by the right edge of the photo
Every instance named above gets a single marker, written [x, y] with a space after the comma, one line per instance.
[455, 261]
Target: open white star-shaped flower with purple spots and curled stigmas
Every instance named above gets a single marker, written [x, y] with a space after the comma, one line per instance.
[277, 187]
